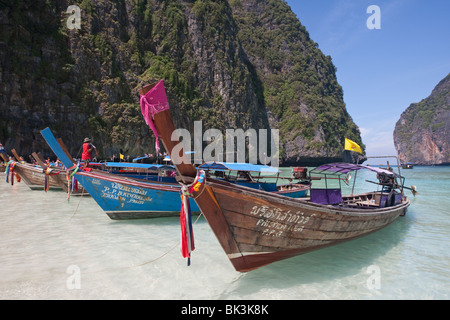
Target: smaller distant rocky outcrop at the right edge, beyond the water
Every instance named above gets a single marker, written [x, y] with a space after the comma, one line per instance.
[422, 134]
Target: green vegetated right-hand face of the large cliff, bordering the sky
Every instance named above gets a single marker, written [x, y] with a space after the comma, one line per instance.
[300, 85]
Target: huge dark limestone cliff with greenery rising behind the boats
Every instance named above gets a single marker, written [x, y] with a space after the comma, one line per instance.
[84, 82]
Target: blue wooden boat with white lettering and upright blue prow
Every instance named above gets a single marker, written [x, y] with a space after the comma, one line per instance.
[122, 197]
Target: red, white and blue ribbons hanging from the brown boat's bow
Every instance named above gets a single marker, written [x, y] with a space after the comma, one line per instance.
[187, 234]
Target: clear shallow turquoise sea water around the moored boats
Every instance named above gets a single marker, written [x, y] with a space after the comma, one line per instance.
[54, 249]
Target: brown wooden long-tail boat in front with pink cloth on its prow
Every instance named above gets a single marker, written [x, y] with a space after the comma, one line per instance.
[256, 228]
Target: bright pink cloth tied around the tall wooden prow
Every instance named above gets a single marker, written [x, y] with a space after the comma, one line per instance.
[153, 102]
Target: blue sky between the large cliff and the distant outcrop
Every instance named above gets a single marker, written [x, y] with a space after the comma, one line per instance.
[382, 71]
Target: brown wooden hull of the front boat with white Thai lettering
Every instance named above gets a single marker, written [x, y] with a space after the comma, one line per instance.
[262, 228]
